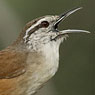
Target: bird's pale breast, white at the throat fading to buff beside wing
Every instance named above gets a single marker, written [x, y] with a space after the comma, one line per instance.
[42, 67]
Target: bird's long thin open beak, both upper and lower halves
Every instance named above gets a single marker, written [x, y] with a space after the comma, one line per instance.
[62, 17]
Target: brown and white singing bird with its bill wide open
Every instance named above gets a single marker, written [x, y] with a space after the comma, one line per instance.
[33, 58]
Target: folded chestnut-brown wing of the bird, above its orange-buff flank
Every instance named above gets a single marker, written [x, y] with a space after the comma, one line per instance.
[12, 64]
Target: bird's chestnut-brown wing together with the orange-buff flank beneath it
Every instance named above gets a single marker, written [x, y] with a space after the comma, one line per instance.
[11, 65]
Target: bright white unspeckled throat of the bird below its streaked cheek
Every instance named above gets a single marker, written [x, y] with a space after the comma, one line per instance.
[51, 53]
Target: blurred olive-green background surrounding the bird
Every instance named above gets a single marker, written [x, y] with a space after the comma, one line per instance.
[76, 71]
